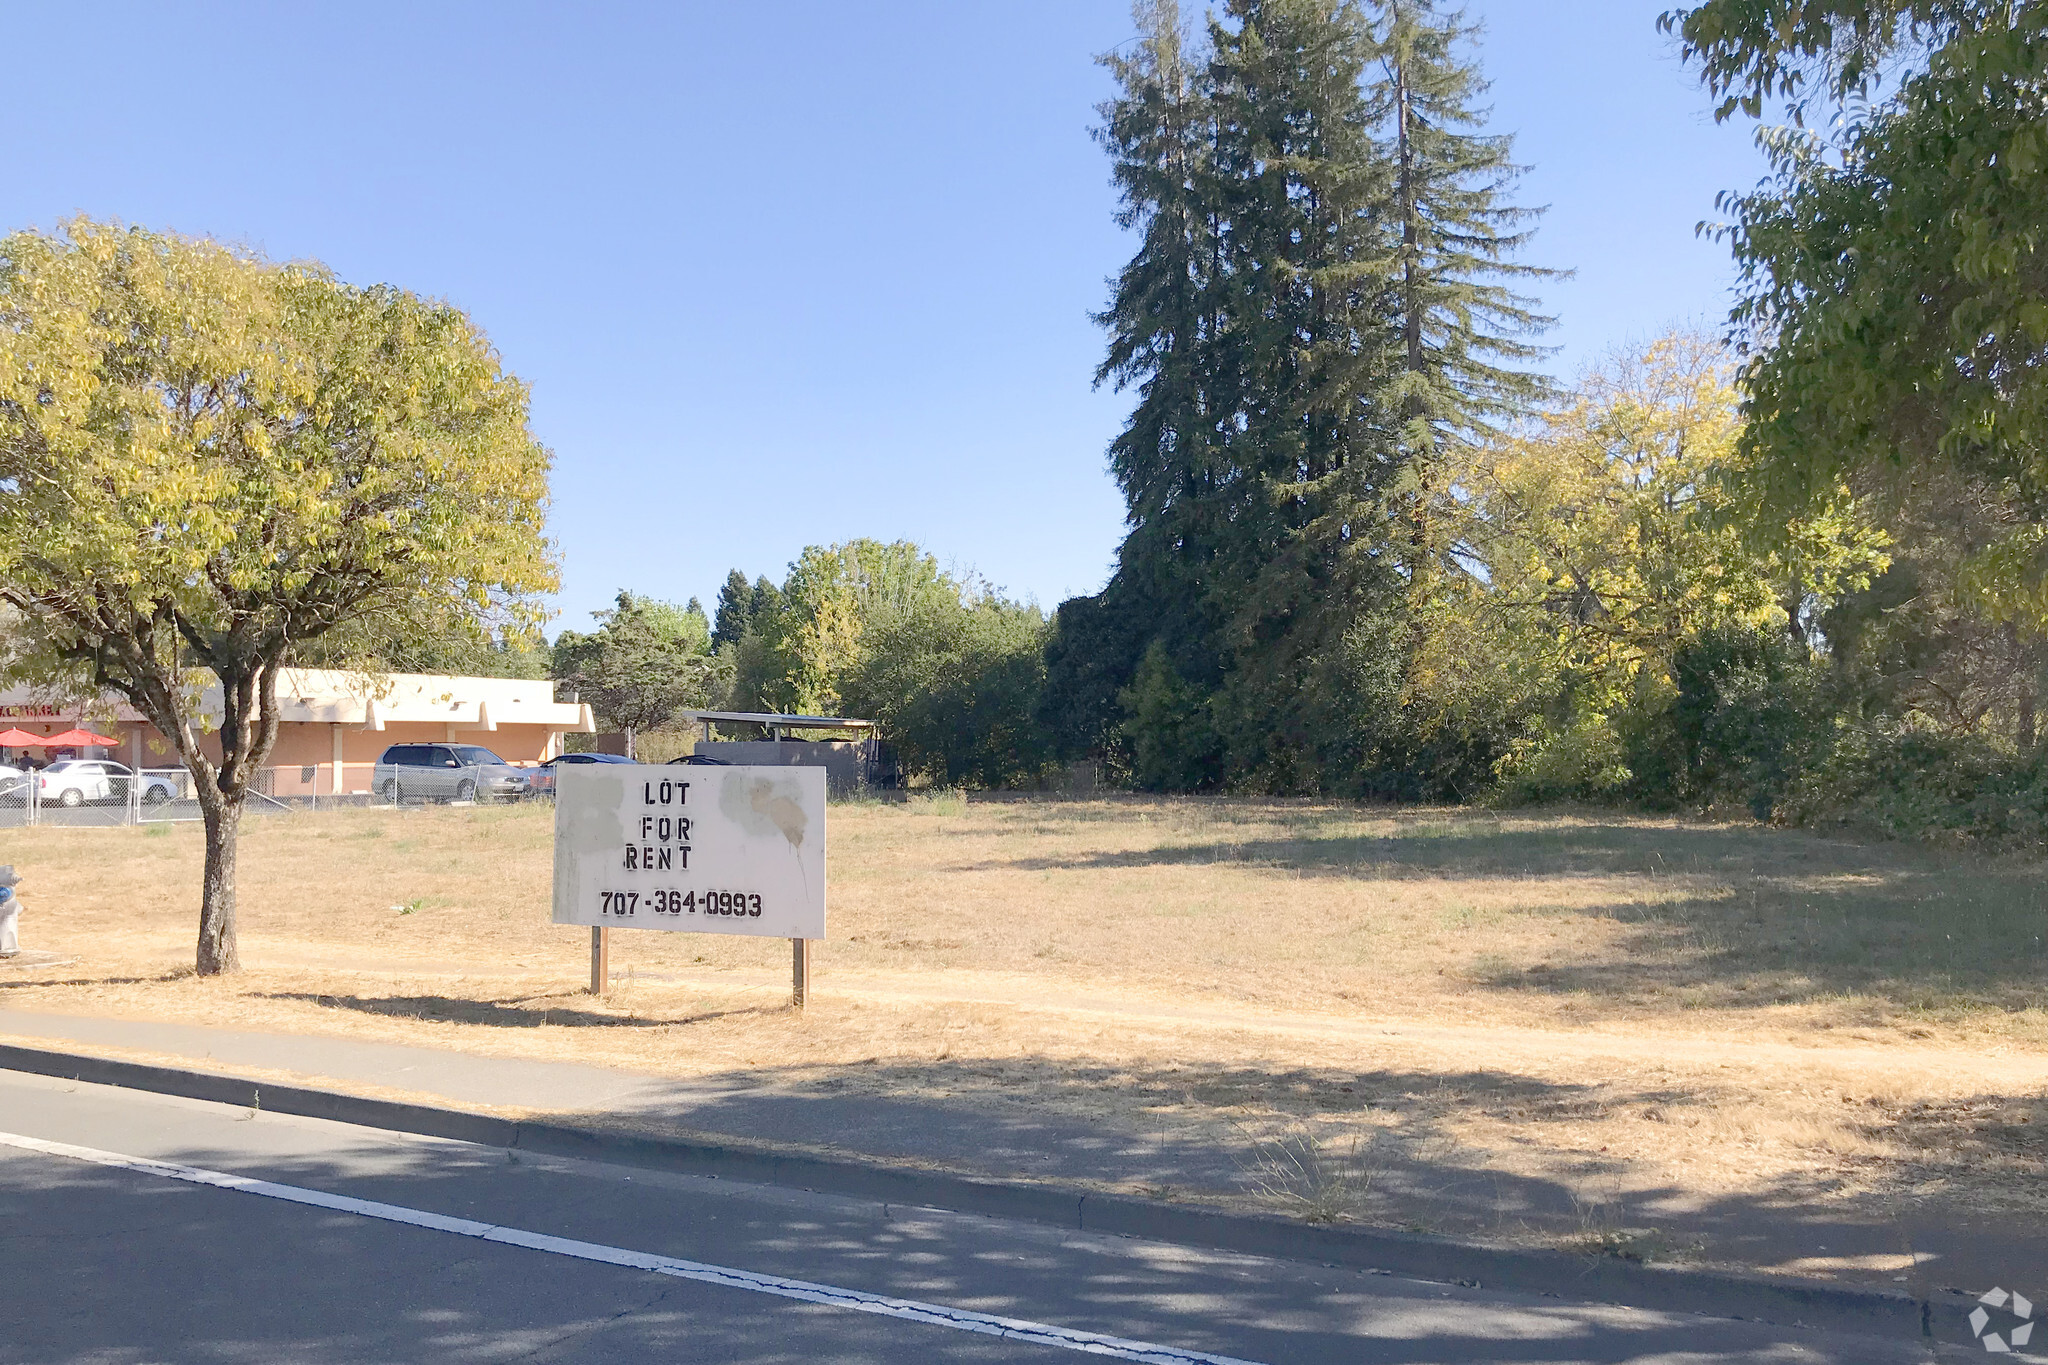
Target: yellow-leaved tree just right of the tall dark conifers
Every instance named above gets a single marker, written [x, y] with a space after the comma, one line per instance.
[1601, 545]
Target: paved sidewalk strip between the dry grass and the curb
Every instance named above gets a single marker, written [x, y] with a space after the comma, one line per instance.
[1027, 1141]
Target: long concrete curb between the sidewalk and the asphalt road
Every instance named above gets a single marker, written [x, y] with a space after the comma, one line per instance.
[1721, 1294]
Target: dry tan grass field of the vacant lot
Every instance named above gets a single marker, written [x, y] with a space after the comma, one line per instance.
[1592, 1020]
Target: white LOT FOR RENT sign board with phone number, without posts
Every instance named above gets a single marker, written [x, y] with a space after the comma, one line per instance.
[703, 848]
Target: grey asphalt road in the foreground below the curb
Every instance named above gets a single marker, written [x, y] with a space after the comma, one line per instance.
[118, 1266]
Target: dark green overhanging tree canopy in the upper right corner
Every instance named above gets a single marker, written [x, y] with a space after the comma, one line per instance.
[1893, 273]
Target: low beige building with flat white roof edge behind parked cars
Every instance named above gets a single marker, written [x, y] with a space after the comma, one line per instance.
[335, 723]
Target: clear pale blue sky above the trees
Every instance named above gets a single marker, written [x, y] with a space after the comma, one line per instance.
[783, 273]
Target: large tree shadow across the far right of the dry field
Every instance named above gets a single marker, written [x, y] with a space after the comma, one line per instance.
[1727, 918]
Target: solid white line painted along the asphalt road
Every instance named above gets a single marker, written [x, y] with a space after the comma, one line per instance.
[912, 1311]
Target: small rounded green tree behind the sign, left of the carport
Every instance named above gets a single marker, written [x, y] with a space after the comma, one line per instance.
[646, 662]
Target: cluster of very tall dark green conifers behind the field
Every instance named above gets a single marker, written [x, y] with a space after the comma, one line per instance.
[1312, 314]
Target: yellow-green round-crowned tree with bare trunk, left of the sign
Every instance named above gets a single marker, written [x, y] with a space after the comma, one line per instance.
[210, 461]
